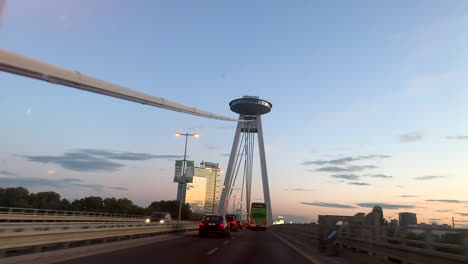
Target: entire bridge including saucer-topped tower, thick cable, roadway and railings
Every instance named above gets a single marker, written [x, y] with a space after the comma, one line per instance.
[34, 236]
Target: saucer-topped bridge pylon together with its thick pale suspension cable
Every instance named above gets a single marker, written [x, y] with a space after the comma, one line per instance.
[249, 122]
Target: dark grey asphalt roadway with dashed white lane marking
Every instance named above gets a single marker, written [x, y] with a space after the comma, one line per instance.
[244, 246]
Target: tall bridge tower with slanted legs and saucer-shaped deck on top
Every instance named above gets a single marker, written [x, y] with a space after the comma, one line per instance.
[250, 110]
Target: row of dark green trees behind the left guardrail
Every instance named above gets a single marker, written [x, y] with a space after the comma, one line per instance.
[20, 197]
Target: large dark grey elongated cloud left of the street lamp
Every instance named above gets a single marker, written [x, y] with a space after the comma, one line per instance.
[95, 160]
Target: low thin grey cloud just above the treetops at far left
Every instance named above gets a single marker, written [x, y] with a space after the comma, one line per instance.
[54, 183]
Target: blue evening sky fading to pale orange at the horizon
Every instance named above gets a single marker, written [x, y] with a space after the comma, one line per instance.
[368, 100]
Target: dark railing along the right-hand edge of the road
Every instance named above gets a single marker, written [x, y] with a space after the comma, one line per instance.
[400, 245]
